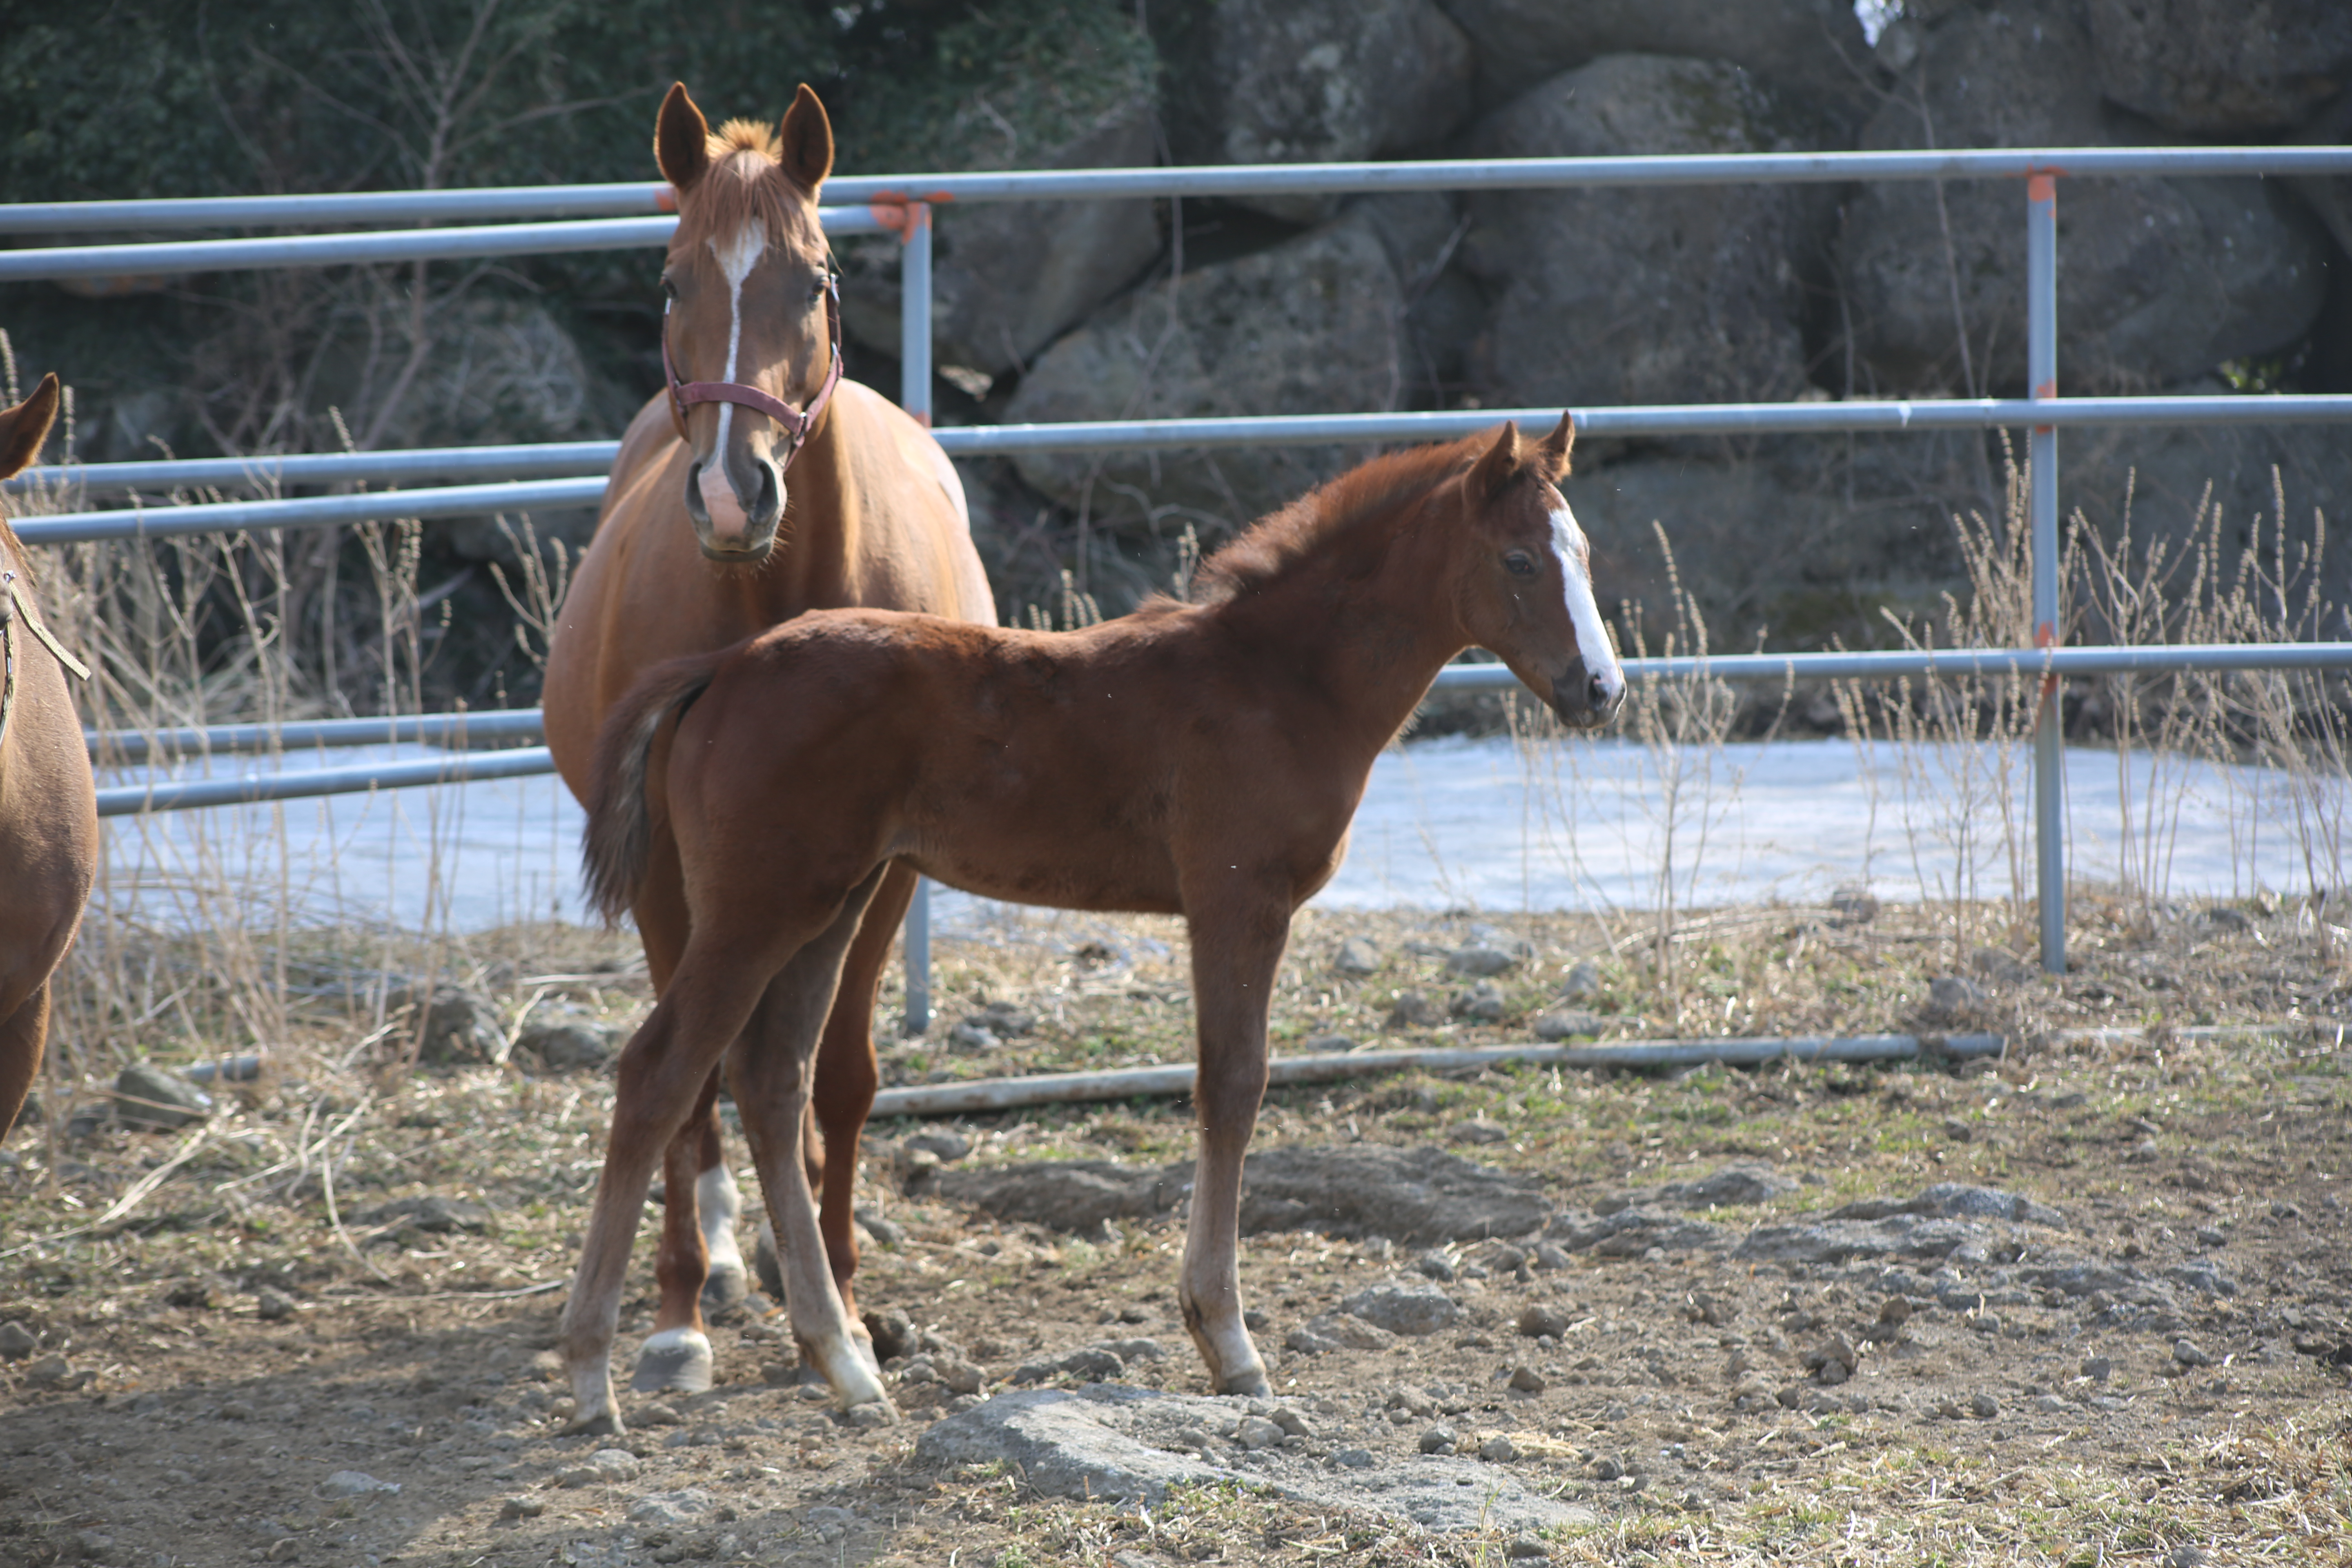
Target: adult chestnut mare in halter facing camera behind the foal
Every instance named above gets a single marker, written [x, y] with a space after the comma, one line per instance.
[756, 488]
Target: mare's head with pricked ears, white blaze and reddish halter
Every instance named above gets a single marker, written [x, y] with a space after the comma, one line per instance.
[747, 286]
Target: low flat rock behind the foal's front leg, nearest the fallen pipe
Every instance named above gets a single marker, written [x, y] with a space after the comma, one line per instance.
[1419, 1198]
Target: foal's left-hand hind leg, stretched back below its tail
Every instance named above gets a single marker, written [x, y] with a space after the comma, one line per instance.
[662, 1073]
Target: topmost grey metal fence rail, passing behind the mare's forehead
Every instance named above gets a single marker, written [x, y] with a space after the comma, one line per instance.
[1222, 180]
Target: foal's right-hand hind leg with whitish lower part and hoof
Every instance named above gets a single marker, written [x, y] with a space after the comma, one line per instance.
[773, 1080]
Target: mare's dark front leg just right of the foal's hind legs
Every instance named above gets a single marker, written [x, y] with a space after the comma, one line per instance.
[846, 1085]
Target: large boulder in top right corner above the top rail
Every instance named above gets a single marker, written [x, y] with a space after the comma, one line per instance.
[2217, 67]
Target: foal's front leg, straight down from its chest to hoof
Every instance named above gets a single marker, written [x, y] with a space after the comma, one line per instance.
[1236, 951]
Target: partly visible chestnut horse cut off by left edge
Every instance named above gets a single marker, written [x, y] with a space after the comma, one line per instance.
[48, 808]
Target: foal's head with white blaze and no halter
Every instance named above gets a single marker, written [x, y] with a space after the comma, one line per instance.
[1525, 579]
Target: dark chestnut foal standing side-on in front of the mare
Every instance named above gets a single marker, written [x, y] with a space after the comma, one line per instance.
[1191, 758]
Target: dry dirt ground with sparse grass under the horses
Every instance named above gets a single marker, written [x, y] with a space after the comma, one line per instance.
[232, 1348]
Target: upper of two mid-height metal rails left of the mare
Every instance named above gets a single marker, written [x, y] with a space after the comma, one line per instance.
[521, 462]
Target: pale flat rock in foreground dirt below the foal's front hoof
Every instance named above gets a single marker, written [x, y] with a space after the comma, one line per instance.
[1125, 1445]
